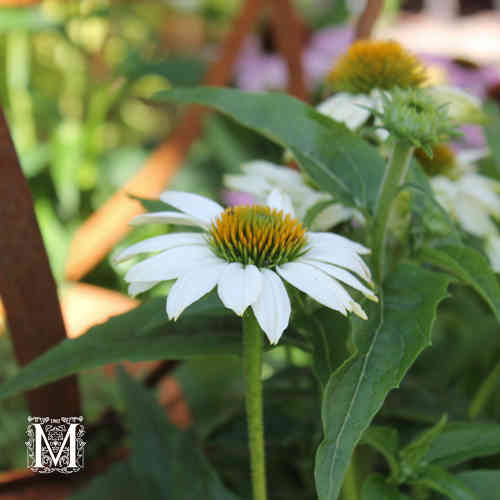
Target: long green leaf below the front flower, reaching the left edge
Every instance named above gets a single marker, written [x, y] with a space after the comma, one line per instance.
[144, 333]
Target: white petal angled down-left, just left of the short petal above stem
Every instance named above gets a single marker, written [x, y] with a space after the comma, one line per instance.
[191, 286]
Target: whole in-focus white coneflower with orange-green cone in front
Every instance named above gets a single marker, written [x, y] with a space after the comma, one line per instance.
[247, 252]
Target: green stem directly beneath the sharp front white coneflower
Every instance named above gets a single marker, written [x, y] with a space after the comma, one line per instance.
[252, 362]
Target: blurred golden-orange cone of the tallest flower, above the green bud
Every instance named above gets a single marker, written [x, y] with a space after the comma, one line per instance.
[383, 65]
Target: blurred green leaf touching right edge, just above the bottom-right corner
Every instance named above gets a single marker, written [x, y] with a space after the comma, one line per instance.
[462, 441]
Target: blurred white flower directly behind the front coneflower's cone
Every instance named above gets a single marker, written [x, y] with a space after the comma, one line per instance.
[260, 178]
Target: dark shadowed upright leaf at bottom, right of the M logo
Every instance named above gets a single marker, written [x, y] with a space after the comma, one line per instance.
[165, 463]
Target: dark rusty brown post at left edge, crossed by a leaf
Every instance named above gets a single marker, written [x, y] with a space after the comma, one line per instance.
[27, 287]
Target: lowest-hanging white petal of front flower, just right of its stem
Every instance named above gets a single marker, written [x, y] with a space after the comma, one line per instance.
[272, 307]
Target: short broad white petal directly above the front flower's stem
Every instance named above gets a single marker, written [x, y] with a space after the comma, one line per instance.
[239, 286]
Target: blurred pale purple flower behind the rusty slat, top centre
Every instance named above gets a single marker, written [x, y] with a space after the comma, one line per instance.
[258, 70]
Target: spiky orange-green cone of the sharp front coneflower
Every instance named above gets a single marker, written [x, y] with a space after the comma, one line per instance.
[257, 235]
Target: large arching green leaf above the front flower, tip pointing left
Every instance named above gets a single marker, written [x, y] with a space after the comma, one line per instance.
[335, 158]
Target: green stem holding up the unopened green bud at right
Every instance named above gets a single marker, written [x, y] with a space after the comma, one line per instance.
[394, 176]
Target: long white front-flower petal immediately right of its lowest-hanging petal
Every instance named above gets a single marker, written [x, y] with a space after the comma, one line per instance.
[317, 285]
